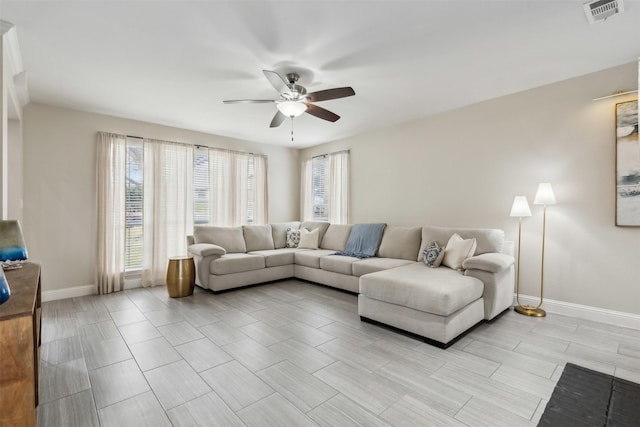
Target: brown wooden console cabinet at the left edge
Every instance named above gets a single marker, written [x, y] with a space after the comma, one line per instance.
[20, 320]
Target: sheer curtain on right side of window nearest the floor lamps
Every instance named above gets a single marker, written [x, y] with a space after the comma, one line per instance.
[339, 187]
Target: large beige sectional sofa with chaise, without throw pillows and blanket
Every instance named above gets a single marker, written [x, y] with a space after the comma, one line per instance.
[395, 288]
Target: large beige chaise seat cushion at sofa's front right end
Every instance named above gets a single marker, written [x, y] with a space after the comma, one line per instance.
[440, 291]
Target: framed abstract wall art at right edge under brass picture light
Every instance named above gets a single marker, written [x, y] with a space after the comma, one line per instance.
[627, 165]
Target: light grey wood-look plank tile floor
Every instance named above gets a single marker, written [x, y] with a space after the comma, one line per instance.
[292, 353]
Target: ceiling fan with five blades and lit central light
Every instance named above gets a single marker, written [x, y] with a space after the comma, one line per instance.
[293, 99]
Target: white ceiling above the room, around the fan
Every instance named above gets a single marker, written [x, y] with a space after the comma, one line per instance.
[173, 62]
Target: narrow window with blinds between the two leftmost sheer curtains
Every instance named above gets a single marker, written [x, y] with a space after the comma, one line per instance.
[134, 171]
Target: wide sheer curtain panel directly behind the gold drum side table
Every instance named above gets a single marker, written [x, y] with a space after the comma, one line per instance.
[168, 206]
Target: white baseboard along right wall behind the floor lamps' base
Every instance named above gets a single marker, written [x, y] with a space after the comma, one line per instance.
[617, 318]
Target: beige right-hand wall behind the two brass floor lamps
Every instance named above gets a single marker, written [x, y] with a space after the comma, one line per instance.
[463, 168]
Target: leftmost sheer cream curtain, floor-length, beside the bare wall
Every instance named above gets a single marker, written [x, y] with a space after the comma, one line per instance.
[110, 167]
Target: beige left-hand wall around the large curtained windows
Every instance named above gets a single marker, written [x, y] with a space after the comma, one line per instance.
[59, 185]
